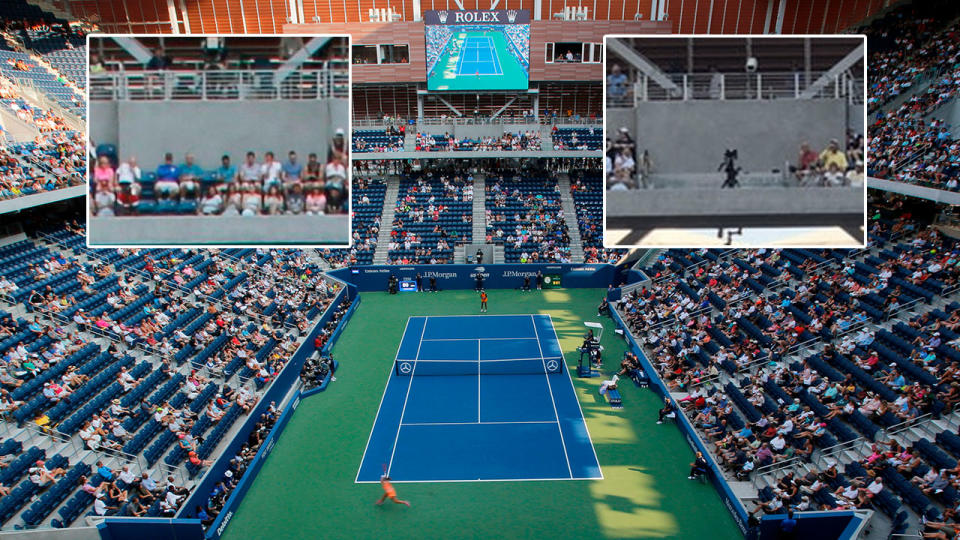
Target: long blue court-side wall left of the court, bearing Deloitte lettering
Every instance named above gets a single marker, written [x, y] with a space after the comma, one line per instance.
[284, 382]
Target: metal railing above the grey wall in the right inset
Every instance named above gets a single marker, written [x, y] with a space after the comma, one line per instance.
[740, 86]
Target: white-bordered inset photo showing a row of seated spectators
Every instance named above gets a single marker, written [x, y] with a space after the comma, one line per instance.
[219, 141]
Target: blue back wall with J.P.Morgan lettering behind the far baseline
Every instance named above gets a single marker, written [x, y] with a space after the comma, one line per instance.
[464, 276]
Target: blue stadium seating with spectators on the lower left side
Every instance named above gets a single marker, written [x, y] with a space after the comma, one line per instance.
[89, 283]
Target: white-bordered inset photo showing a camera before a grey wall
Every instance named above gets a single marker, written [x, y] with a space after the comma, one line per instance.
[735, 141]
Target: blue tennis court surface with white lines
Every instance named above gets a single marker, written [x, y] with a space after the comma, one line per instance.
[479, 398]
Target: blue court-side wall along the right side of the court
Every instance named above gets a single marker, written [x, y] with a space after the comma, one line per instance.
[825, 525]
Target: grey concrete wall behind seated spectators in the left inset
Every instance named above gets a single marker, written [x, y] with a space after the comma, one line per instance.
[210, 129]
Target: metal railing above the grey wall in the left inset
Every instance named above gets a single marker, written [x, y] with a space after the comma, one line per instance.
[219, 85]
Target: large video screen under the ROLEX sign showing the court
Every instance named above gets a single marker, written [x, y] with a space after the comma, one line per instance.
[478, 50]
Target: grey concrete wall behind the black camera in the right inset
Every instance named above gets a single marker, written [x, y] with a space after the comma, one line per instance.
[690, 136]
